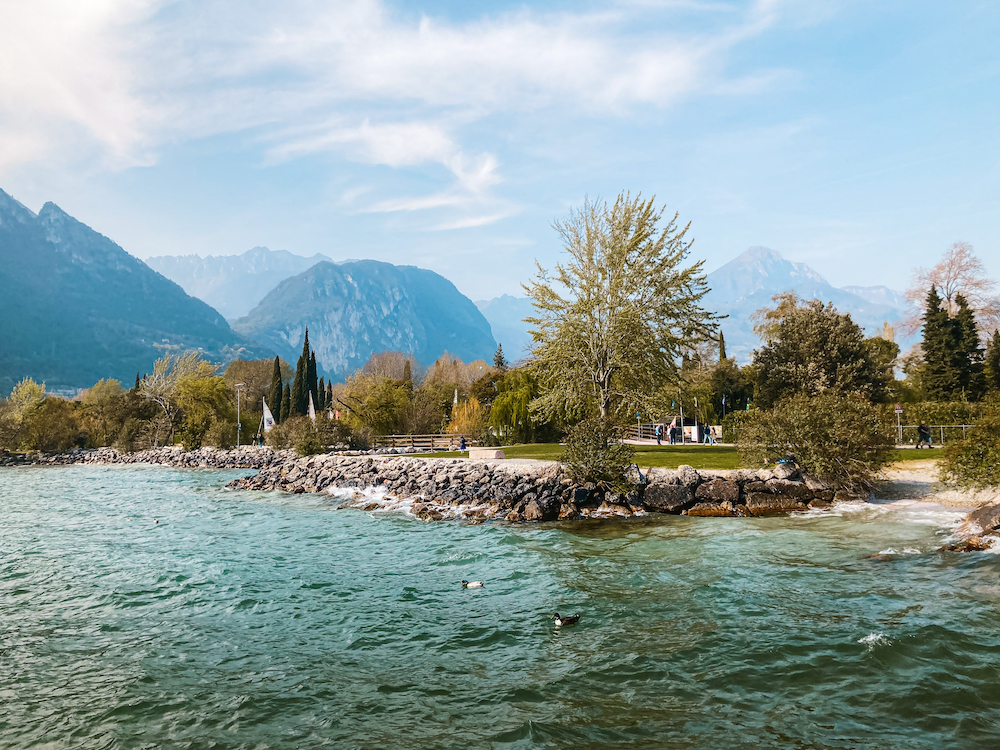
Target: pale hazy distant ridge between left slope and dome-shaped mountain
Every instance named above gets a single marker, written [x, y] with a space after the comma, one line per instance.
[233, 284]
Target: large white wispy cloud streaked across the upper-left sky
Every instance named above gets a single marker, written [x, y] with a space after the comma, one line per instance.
[115, 80]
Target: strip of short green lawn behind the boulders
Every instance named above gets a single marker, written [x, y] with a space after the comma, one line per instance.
[672, 456]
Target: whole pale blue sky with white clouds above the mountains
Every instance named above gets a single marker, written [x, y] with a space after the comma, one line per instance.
[857, 136]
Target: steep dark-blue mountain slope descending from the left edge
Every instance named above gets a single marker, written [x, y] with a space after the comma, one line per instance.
[76, 307]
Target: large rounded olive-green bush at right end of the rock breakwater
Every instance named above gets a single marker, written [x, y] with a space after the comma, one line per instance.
[842, 440]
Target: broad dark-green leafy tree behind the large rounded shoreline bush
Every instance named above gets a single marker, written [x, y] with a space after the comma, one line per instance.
[812, 349]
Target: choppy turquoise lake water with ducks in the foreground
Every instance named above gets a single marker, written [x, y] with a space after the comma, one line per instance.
[261, 620]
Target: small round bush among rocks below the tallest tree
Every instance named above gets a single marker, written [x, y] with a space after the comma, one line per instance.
[595, 453]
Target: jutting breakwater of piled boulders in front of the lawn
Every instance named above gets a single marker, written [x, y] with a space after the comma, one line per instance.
[439, 488]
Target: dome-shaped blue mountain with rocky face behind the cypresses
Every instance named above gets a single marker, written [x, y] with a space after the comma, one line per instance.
[356, 308]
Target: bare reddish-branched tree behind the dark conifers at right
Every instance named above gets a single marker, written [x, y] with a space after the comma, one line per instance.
[959, 272]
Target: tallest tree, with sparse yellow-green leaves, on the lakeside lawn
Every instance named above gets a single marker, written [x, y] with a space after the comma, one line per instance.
[612, 322]
